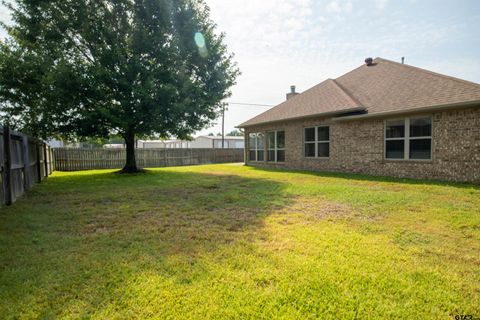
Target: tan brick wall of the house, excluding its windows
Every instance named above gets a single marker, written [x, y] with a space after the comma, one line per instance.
[358, 146]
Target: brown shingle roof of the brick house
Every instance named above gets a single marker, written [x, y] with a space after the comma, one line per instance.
[386, 86]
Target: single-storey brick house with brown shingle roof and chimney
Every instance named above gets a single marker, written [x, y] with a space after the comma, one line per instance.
[382, 118]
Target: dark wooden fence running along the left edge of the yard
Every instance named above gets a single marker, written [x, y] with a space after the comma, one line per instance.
[24, 161]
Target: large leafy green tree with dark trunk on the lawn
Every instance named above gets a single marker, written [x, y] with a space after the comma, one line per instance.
[90, 68]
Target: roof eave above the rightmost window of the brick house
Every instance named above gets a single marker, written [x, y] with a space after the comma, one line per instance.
[475, 103]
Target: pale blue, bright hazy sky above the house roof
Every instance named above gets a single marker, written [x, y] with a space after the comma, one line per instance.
[278, 43]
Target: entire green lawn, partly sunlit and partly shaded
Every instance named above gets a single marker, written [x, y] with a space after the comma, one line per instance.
[229, 241]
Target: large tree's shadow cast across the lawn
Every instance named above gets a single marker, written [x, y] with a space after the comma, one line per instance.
[73, 244]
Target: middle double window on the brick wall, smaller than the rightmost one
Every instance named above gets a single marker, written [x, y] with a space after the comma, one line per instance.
[317, 142]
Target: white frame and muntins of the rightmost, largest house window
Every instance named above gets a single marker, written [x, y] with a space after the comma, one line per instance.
[406, 138]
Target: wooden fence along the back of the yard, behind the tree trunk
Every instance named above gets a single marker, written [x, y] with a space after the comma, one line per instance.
[70, 159]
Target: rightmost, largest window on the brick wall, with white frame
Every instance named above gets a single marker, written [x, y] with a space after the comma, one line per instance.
[408, 139]
